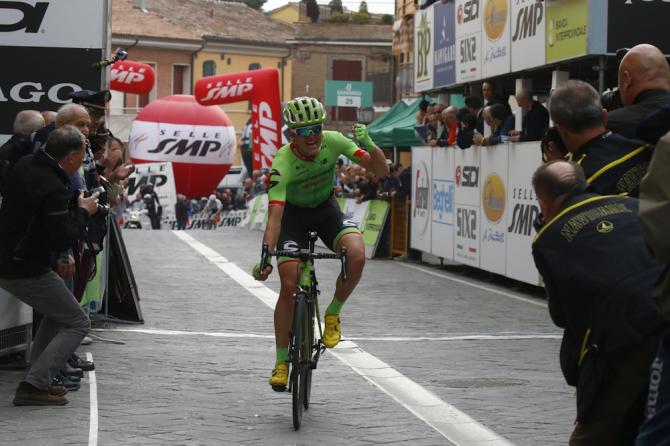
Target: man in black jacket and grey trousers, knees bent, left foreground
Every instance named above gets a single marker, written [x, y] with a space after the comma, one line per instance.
[36, 222]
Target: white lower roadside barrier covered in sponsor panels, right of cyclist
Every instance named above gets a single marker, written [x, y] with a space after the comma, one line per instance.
[477, 206]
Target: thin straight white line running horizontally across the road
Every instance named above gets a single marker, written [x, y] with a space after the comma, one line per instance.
[217, 334]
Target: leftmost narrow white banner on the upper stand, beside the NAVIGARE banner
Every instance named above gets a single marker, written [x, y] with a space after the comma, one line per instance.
[423, 49]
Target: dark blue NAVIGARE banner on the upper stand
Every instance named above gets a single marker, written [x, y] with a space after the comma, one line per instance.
[444, 54]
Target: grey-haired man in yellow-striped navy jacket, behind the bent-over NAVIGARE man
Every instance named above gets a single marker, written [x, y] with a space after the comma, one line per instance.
[613, 164]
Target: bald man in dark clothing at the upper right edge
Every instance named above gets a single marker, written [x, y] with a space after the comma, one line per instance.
[644, 86]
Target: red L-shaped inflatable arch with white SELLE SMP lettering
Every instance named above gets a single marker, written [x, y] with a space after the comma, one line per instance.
[261, 87]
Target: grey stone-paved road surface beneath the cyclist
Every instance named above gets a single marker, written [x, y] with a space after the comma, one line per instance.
[195, 373]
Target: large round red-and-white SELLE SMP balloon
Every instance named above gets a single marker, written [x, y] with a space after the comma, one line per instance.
[199, 141]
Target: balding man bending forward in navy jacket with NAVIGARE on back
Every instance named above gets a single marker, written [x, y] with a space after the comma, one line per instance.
[599, 283]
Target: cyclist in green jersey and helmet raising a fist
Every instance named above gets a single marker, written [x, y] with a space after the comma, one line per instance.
[301, 199]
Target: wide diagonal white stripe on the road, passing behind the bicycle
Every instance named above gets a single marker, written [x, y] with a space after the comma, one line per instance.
[450, 422]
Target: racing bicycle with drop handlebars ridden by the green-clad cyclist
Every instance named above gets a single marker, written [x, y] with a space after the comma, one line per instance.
[304, 350]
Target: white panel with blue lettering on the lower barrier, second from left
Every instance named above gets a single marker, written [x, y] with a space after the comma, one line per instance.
[443, 195]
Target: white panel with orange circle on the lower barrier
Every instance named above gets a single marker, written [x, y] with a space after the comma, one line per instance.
[493, 225]
